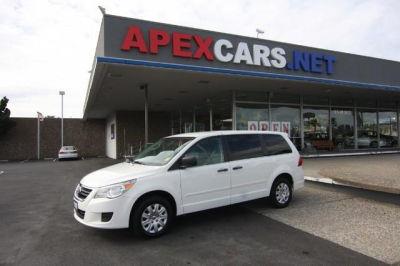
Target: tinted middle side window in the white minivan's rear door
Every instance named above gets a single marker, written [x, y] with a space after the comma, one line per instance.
[244, 146]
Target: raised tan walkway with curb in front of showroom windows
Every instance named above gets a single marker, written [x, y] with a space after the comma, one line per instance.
[373, 172]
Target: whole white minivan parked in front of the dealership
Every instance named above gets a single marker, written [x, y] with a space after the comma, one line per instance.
[187, 173]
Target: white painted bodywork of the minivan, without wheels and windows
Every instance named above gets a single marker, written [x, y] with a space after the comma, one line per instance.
[189, 189]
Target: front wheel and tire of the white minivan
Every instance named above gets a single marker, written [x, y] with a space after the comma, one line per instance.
[152, 216]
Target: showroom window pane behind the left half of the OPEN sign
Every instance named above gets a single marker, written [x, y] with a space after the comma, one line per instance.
[251, 116]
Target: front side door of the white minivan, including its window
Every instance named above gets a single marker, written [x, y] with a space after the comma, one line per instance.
[206, 185]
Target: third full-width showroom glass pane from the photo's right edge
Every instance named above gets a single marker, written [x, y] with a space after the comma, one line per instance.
[342, 122]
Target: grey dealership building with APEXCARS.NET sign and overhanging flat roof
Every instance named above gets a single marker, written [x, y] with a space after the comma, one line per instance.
[151, 80]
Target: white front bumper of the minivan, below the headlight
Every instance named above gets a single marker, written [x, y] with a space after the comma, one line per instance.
[94, 208]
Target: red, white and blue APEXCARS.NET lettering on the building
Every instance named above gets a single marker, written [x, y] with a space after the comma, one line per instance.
[223, 50]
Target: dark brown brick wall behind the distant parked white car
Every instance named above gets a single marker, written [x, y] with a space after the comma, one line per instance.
[21, 141]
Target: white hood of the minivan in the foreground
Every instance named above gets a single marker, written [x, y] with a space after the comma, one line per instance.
[117, 173]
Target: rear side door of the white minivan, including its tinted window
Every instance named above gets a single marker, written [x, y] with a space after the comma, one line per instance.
[249, 167]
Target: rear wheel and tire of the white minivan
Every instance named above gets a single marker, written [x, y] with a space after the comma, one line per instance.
[281, 192]
